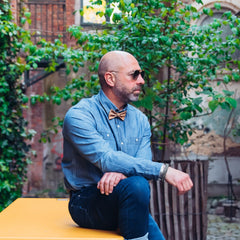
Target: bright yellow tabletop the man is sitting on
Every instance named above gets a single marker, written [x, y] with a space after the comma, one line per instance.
[45, 219]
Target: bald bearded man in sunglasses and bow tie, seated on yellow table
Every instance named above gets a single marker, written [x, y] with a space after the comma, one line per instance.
[107, 155]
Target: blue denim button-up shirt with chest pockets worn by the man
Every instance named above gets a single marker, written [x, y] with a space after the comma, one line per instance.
[93, 144]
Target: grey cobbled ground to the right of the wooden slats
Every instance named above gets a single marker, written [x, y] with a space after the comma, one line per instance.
[220, 227]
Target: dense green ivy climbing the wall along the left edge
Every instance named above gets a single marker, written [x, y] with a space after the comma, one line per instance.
[13, 133]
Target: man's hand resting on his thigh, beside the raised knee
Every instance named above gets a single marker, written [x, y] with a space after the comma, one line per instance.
[108, 181]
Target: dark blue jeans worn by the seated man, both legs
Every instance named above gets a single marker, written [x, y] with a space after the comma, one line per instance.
[126, 209]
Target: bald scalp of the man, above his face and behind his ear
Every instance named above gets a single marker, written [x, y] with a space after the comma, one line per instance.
[112, 61]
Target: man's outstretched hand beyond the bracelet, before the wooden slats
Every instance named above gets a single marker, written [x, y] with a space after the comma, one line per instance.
[179, 179]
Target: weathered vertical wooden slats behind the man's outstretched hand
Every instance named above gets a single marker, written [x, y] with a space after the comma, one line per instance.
[182, 217]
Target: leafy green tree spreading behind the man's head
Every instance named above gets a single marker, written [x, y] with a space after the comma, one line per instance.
[163, 37]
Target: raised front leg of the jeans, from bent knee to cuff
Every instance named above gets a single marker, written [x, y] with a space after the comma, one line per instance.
[134, 196]
